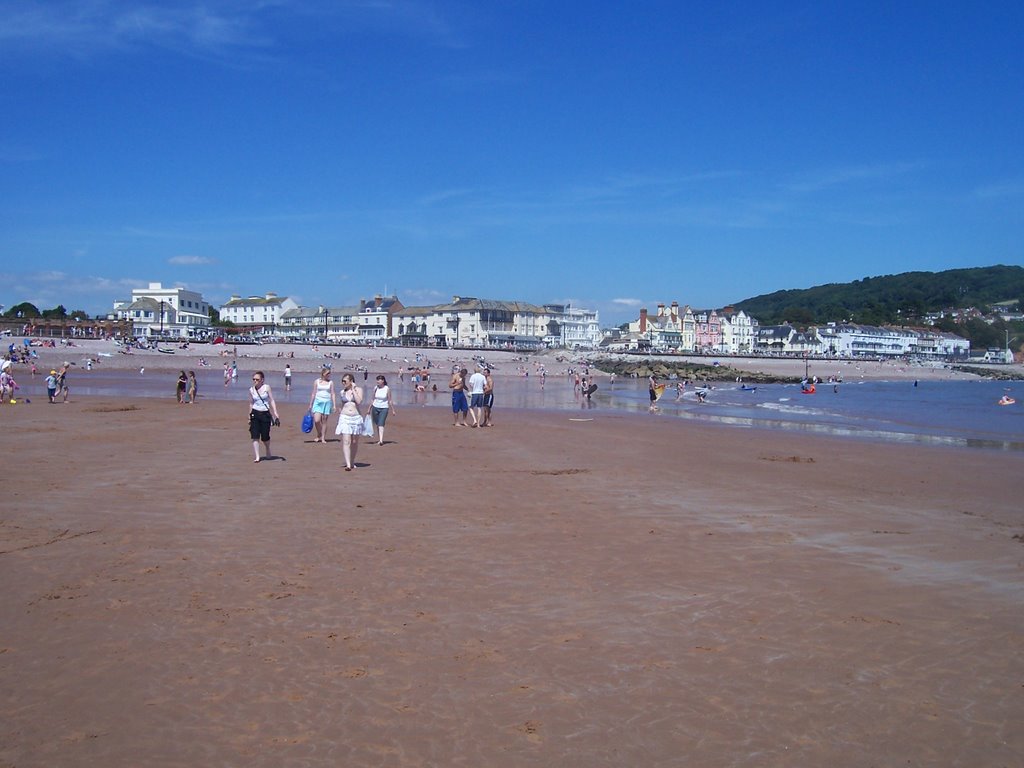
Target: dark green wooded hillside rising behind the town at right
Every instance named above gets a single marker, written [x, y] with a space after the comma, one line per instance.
[889, 300]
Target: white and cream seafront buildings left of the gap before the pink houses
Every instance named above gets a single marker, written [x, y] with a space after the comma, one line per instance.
[177, 313]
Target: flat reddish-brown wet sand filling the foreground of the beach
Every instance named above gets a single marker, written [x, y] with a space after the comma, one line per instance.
[549, 592]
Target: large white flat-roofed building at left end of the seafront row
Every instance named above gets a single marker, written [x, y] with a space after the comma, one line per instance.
[159, 312]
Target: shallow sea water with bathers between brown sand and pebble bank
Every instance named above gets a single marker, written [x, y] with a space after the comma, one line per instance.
[952, 413]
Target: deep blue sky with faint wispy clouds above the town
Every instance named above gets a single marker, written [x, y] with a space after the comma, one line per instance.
[613, 155]
